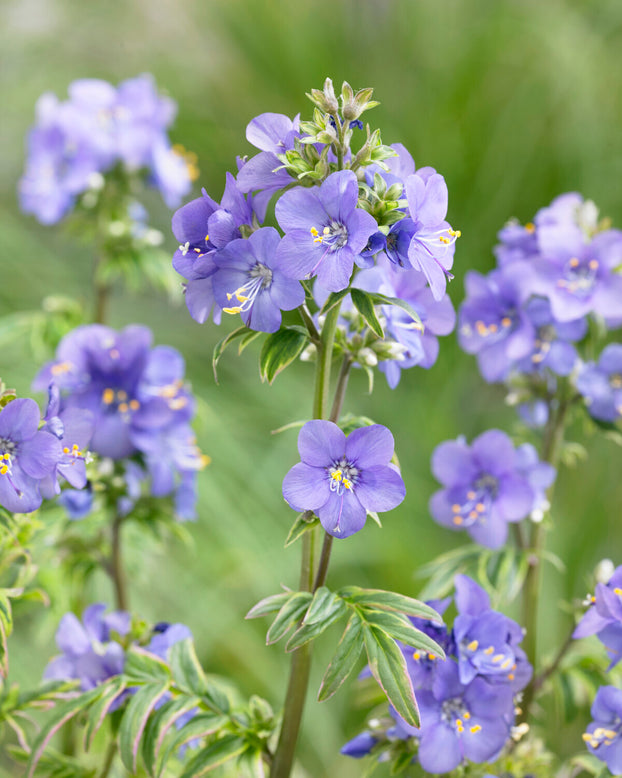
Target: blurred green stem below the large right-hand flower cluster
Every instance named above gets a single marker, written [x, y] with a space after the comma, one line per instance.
[551, 448]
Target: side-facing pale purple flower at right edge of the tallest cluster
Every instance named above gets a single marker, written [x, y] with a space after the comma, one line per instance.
[431, 248]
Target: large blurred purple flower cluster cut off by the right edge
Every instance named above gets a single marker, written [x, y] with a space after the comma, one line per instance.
[525, 318]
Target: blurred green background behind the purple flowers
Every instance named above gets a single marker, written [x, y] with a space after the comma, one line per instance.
[513, 102]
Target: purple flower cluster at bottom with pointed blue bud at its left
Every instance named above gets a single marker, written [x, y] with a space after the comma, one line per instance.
[467, 700]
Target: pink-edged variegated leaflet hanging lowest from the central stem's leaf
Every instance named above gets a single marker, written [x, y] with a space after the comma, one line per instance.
[388, 666]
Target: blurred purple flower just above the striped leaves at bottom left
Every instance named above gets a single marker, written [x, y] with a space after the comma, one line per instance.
[89, 651]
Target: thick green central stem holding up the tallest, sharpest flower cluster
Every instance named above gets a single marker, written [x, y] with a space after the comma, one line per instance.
[301, 658]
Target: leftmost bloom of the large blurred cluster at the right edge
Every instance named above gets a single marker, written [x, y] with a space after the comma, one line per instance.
[493, 323]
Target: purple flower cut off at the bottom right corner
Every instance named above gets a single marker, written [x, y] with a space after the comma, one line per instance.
[603, 734]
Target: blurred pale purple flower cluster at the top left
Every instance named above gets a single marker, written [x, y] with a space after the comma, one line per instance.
[74, 142]
